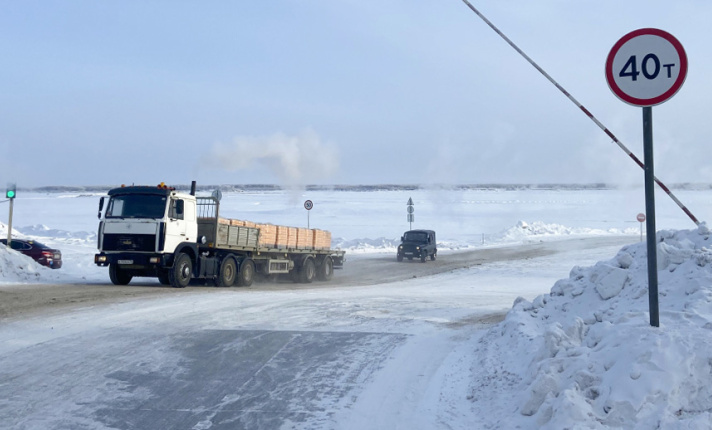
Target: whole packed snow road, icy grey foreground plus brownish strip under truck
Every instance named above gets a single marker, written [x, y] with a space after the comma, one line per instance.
[384, 345]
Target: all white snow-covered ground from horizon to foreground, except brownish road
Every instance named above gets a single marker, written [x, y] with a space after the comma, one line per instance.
[574, 351]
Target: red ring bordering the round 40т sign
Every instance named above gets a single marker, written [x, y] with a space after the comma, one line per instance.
[659, 98]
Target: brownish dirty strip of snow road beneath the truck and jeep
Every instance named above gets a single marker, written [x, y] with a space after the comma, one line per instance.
[359, 270]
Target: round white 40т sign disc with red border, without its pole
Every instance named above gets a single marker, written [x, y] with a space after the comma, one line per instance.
[646, 67]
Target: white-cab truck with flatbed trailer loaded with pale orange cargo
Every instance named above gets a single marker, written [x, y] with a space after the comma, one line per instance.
[156, 231]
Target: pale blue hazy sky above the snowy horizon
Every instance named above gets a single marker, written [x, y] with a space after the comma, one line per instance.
[335, 92]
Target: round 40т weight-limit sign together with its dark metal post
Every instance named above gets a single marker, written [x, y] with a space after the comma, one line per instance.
[646, 67]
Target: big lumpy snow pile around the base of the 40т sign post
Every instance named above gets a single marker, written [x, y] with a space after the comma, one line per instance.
[585, 354]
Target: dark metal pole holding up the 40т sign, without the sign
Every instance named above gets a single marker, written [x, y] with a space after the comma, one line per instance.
[650, 216]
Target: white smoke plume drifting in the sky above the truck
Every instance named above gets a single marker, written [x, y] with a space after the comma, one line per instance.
[295, 160]
